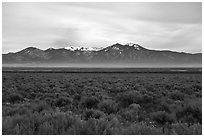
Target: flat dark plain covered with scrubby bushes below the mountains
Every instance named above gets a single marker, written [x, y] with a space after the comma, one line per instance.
[97, 101]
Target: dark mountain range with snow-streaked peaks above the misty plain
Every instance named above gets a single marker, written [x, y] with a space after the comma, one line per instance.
[132, 54]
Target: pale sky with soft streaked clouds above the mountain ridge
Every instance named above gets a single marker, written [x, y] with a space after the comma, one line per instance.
[161, 26]
